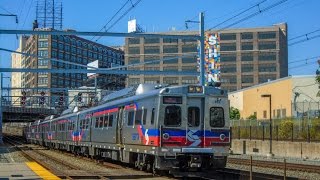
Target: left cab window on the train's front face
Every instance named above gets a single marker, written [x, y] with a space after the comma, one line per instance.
[172, 116]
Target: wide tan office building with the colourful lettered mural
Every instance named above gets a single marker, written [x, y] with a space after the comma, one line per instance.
[248, 57]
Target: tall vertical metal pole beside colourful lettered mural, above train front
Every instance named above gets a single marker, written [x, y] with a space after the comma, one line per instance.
[202, 61]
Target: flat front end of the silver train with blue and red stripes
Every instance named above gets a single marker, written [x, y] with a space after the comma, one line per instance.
[194, 128]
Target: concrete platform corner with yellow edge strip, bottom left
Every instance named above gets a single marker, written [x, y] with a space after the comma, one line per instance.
[26, 171]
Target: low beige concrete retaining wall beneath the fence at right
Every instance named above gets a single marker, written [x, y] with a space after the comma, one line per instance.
[279, 148]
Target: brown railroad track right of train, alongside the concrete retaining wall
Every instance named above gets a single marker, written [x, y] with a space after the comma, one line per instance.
[276, 165]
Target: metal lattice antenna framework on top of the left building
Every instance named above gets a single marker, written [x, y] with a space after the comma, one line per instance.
[49, 14]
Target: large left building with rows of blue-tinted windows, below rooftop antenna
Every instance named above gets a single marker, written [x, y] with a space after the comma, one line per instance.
[75, 50]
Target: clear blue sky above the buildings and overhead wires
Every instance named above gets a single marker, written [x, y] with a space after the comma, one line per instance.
[302, 17]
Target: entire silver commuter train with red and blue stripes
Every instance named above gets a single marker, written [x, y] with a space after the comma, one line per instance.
[151, 127]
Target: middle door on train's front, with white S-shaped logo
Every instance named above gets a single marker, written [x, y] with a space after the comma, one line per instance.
[195, 122]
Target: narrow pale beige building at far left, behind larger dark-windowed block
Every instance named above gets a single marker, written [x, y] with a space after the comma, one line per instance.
[16, 62]
